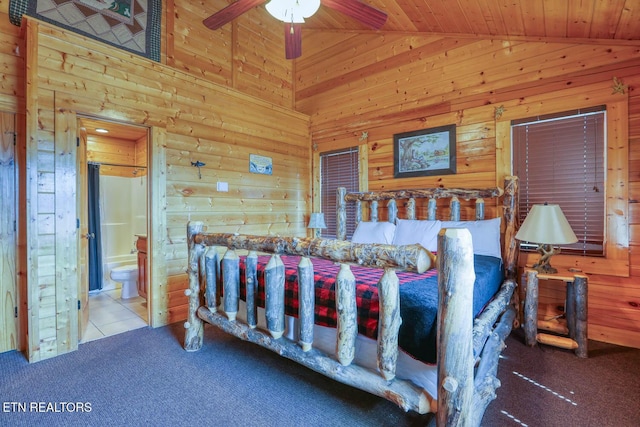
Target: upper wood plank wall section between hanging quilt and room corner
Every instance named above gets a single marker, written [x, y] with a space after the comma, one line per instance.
[246, 54]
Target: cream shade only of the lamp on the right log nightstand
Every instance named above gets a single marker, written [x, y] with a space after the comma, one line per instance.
[546, 224]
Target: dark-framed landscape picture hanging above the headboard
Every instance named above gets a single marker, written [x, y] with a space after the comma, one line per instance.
[425, 152]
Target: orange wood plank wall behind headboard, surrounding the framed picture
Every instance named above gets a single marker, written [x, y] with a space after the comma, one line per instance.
[387, 84]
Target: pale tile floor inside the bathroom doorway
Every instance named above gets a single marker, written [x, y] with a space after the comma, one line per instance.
[111, 315]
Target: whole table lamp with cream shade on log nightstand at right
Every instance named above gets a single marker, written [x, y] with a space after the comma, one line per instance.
[546, 225]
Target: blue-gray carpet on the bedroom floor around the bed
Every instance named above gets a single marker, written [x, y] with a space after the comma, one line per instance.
[144, 377]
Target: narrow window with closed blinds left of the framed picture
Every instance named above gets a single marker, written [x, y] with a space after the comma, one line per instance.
[338, 169]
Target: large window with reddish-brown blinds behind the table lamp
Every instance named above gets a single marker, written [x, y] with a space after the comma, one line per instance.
[560, 159]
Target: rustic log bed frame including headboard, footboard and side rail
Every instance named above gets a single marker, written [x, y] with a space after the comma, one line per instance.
[466, 383]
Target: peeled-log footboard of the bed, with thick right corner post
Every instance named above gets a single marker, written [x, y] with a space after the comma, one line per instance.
[456, 279]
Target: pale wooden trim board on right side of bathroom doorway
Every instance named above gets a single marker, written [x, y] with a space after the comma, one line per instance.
[157, 229]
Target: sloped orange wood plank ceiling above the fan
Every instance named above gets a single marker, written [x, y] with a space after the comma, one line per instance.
[547, 19]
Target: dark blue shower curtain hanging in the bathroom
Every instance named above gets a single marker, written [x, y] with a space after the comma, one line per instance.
[94, 241]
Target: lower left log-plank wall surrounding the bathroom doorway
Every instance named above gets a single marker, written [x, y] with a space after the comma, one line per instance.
[189, 120]
